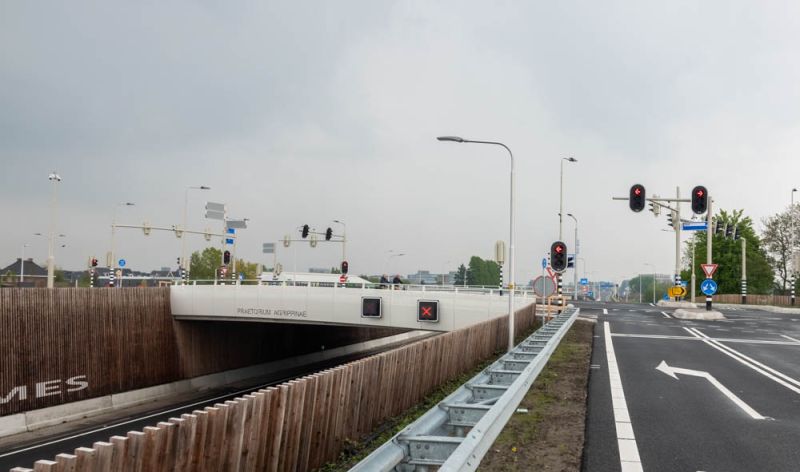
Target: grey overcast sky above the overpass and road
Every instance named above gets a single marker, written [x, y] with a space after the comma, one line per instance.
[304, 112]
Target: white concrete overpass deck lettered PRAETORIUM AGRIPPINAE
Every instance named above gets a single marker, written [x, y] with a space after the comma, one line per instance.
[414, 307]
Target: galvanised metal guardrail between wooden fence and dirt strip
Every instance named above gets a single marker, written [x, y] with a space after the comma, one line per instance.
[454, 435]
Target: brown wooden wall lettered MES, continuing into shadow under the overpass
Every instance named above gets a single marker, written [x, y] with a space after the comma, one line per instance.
[116, 340]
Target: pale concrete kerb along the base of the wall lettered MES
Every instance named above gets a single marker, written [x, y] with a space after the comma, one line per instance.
[67, 412]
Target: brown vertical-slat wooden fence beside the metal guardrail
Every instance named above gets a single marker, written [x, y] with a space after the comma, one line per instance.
[302, 424]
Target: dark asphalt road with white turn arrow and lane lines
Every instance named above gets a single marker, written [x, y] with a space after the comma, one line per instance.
[732, 405]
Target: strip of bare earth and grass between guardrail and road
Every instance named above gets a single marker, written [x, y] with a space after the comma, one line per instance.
[547, 432]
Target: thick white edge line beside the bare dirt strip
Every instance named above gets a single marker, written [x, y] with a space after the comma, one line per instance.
[628, 450]
